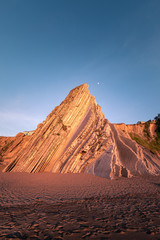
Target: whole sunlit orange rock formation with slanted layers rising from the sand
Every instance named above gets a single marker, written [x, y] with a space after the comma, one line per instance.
[76, 137]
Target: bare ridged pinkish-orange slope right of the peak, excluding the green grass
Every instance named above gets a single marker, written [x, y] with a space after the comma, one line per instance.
[131, 158]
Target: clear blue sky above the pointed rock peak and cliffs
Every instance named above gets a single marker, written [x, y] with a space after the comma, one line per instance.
[49, 47]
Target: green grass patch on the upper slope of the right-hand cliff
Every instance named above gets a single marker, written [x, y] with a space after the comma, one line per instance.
[153, 146]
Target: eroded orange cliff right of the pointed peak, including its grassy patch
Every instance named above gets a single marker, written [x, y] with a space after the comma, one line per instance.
[134, 156]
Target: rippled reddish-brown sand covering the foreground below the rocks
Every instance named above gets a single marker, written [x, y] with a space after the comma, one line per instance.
[78, 206]
